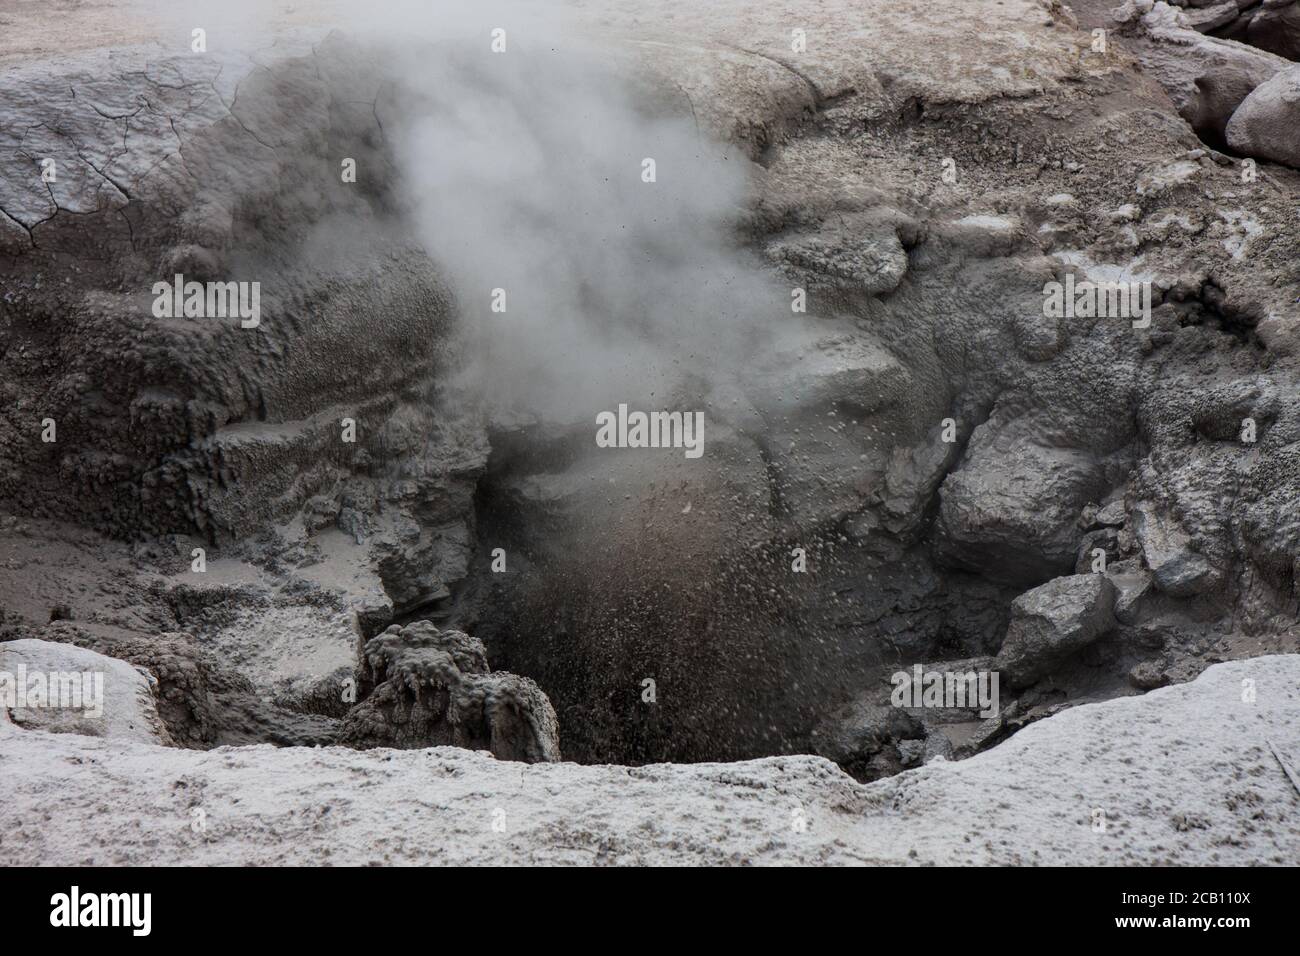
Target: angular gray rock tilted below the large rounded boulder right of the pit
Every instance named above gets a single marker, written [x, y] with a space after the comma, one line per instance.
[1052, 622]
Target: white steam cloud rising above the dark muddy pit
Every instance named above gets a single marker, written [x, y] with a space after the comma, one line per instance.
[526, 172]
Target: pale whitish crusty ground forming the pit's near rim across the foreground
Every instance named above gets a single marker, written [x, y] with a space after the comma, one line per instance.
[1181, 776]
